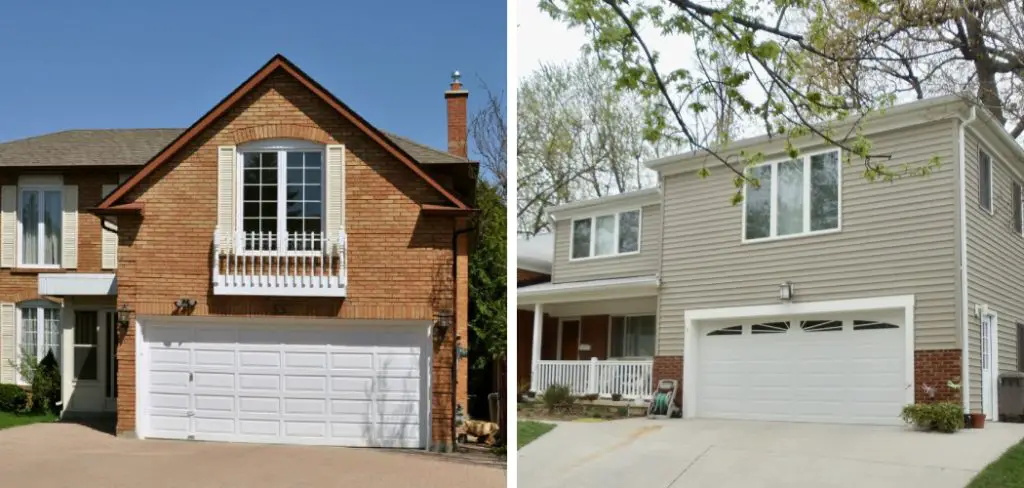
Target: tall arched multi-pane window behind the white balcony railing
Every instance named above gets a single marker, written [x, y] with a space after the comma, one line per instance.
[281, 197]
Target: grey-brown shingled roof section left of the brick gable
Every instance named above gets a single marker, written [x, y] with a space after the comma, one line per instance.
[88, 148]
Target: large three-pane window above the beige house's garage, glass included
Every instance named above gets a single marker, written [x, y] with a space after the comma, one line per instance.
[795, 198]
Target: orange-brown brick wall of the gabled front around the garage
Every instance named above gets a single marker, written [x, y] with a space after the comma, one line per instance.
[400, 260]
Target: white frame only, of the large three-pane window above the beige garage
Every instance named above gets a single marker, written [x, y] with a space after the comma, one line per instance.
[806, 158]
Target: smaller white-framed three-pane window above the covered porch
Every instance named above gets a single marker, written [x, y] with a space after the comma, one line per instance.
[604, 236]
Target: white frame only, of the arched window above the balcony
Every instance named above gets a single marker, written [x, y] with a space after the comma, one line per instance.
[281, 147]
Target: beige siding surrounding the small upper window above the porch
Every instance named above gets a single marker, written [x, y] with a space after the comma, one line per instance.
[645, 262]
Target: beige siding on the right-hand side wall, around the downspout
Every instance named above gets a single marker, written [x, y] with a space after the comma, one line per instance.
[996, 261]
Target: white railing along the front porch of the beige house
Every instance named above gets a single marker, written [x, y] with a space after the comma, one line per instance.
[632, 380]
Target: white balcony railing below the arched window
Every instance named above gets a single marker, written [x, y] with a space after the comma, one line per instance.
[302, 265]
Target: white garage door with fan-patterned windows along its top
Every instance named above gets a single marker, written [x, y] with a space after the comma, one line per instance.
[841, 370]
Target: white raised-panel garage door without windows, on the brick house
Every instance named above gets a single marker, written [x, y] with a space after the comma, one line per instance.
[286, 384]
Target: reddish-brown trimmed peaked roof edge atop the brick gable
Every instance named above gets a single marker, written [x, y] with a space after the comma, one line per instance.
[277, 63]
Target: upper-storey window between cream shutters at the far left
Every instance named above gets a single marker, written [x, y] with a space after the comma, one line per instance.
[40, 217]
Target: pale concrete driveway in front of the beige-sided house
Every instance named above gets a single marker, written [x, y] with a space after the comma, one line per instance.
[732, 454]
